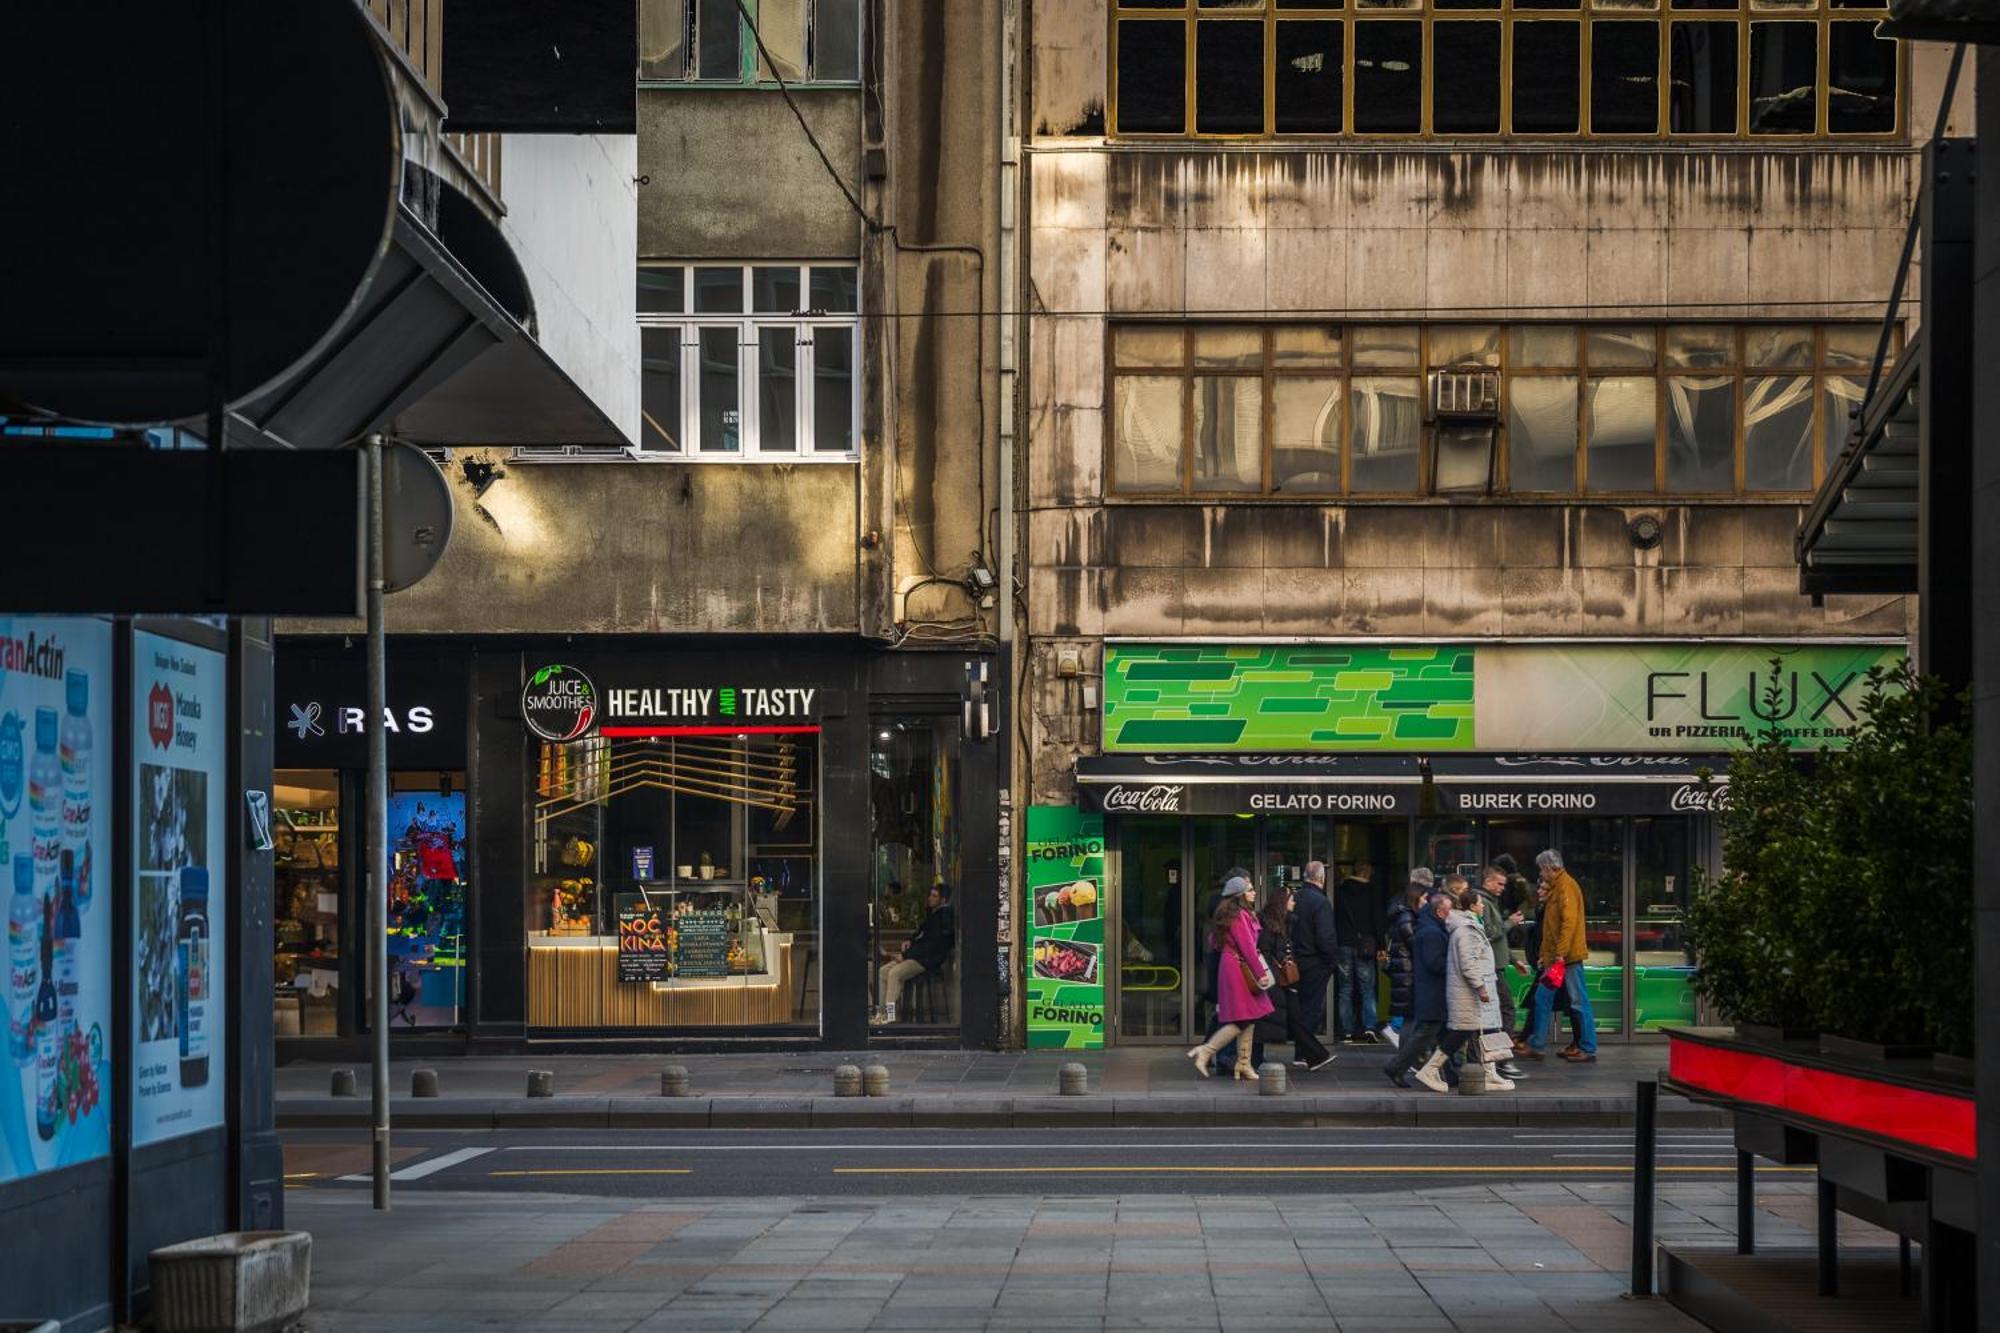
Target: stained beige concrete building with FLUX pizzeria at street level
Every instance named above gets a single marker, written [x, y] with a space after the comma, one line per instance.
[1423, 403]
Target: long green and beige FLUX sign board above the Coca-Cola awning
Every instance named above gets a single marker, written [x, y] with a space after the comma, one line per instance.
[1687, 698]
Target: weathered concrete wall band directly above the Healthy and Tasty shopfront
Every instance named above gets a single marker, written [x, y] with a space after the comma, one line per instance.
[641, 547]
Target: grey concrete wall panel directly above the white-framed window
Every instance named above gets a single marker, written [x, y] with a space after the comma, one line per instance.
[731, 177]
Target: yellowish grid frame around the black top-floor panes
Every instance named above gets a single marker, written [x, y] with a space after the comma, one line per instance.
[1145, 25]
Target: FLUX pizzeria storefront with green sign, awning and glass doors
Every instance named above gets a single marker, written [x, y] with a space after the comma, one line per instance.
[1391, 758]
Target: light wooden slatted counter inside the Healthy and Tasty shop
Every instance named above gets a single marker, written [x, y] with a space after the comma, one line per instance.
[573, 982]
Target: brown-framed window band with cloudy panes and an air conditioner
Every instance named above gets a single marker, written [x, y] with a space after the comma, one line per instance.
[1583, 409]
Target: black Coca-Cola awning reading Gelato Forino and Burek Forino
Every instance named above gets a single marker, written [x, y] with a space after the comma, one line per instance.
[1361, 786]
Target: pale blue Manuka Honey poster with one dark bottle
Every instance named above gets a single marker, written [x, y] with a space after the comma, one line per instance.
[181, 866]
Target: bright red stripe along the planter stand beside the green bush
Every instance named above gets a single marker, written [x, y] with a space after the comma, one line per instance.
[1891, 1112]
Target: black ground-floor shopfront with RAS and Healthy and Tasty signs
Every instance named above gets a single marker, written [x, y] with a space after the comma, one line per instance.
[639, 842]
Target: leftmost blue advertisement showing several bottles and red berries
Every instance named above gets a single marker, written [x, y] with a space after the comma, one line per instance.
[55, 838]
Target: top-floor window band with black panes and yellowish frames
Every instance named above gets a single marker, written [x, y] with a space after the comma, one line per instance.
[1535, 69]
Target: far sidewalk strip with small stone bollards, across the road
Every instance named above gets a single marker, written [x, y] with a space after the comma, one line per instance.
[1131, 1086]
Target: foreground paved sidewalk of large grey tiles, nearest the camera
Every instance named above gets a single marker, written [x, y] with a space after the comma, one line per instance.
[1521, 1258]
